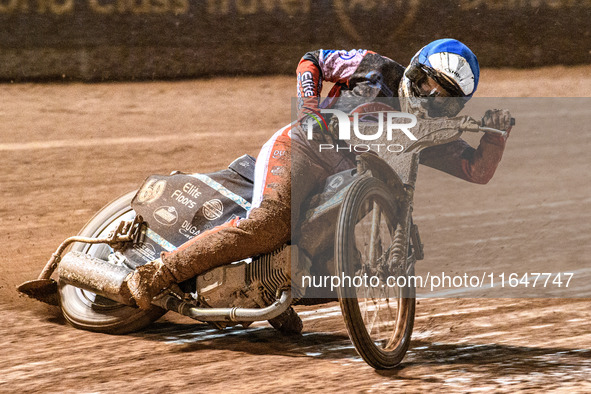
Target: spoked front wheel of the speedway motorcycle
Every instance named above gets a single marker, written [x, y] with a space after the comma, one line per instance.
[378, 314]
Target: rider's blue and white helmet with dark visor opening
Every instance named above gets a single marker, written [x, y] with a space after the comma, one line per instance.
[452, 65]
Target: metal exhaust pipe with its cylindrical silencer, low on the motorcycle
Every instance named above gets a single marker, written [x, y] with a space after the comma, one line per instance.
[107, 279]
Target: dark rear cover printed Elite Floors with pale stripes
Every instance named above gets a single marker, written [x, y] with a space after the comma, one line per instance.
[177, 207]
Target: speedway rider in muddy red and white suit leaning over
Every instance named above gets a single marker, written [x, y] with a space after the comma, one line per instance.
[443, 68]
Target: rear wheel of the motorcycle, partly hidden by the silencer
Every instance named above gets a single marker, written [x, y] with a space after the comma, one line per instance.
[86, 310]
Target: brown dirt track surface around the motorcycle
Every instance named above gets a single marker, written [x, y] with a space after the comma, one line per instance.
[66, 150]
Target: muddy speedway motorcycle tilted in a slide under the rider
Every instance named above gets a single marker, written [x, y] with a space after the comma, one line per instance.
[374, 235]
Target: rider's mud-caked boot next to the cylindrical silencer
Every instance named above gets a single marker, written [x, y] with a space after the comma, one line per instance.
[147, 281]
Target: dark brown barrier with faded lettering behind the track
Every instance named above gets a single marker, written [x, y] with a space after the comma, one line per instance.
[145, 39]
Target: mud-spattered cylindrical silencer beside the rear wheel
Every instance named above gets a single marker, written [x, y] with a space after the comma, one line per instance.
[96, 275]
